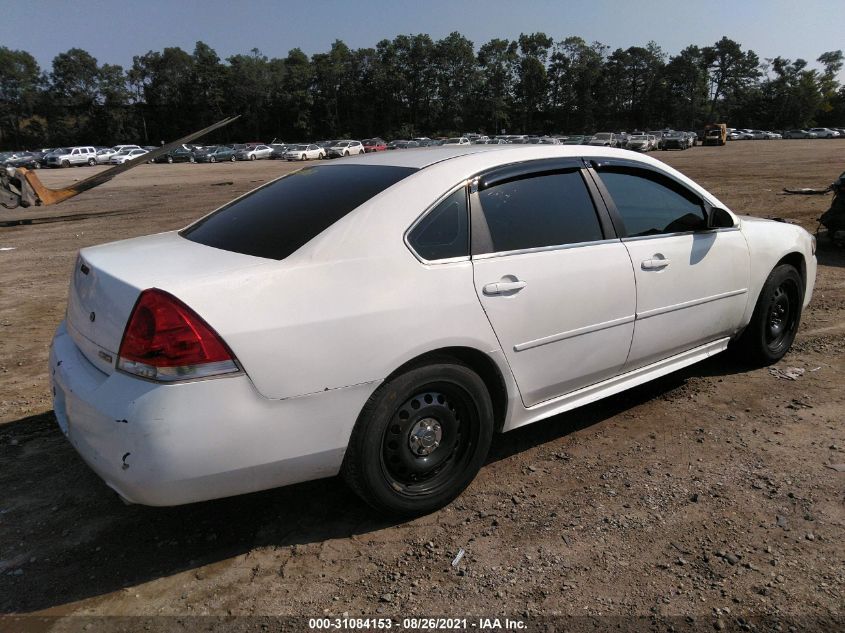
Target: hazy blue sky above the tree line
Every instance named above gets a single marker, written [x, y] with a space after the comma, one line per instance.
[113, 31]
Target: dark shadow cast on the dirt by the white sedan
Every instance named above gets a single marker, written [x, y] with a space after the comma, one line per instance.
[86, 543]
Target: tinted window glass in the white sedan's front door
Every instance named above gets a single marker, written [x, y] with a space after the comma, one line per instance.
[650, 204]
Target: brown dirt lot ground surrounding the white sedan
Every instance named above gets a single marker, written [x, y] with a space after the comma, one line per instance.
[704, 499]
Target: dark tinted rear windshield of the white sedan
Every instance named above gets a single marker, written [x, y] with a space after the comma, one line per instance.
[279, 218]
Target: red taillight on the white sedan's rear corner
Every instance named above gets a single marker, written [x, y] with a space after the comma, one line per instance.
[166, 340]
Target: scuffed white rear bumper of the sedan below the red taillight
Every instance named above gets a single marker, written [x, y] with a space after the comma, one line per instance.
[172, 444]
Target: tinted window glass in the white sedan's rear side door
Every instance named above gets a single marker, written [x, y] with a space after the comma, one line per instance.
[541, 211]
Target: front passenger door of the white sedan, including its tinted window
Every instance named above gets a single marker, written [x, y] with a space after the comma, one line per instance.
[692, 282]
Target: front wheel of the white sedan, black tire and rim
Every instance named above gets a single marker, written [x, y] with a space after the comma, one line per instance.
[776, 317]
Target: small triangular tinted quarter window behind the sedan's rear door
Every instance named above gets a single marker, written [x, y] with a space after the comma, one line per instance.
[443, 232]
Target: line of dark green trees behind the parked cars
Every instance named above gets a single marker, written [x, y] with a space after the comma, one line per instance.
[411, 86]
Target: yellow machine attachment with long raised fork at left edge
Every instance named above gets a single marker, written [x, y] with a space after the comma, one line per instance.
[21, 187]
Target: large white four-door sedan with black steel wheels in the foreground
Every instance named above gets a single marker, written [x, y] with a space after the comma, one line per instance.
[383, 316]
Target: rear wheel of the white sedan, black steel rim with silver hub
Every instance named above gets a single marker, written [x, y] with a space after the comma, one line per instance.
[420, 439]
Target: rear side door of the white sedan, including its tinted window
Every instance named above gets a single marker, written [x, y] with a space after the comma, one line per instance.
[553, 279]
